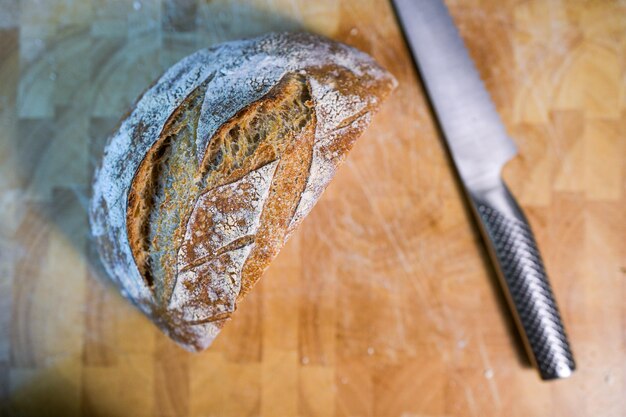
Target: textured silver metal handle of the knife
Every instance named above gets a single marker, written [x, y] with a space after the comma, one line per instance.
[520, 269]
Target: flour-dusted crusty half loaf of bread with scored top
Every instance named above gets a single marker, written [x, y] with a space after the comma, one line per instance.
[217, 164]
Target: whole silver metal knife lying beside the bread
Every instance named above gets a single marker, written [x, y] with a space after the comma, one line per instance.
[479, 147]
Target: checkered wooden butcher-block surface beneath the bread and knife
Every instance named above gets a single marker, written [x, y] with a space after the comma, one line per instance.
[383, 303]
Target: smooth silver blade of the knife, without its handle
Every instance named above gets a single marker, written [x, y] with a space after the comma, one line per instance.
[475, 135]
